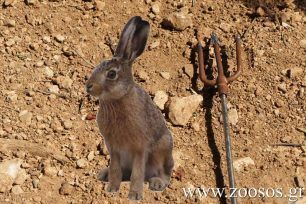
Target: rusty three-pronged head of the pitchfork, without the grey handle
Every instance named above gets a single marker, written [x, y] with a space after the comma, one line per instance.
[221, 80]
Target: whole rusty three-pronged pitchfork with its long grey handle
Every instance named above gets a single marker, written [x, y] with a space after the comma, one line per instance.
[221, 81]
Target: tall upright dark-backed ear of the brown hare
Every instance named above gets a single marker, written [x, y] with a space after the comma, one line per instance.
[133, 39]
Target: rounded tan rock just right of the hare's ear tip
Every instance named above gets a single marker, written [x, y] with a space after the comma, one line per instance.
[178, 21]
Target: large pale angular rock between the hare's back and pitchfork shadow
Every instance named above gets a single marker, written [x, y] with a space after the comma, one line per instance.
[181, 109]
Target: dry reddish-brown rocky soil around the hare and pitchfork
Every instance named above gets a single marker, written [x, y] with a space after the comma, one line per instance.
[50, 146]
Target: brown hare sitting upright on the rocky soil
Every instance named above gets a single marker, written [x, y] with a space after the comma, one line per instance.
[136, 136]
